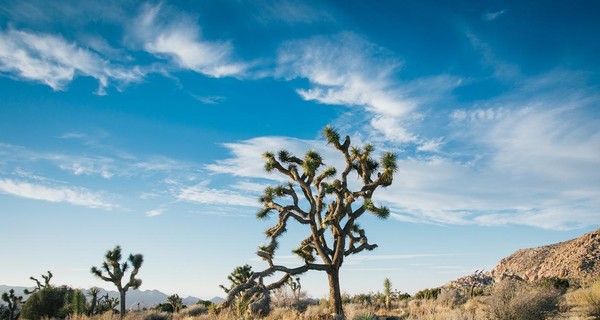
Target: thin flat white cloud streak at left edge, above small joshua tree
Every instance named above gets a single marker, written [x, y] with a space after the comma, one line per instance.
[74, 196]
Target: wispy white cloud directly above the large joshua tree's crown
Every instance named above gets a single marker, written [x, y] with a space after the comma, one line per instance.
[346, 69]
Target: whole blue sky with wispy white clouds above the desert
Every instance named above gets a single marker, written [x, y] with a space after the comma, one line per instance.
[142, 124]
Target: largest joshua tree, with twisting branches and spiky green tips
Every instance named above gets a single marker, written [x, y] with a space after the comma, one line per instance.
[319, 198]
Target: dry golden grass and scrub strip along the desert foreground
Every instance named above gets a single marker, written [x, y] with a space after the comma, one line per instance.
[519, 303]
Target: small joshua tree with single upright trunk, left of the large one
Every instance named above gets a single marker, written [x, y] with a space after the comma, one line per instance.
[115, 272]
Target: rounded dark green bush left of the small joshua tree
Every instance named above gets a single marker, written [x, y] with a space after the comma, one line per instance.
[50, 302]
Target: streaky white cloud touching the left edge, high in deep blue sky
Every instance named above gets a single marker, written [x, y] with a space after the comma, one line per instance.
[52, 60]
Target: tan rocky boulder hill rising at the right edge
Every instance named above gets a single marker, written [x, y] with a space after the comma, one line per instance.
[574, 259]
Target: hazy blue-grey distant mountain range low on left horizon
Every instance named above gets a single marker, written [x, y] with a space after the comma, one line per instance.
[135, 298]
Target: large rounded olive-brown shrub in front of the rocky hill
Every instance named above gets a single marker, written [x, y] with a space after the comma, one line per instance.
[515, 301]
